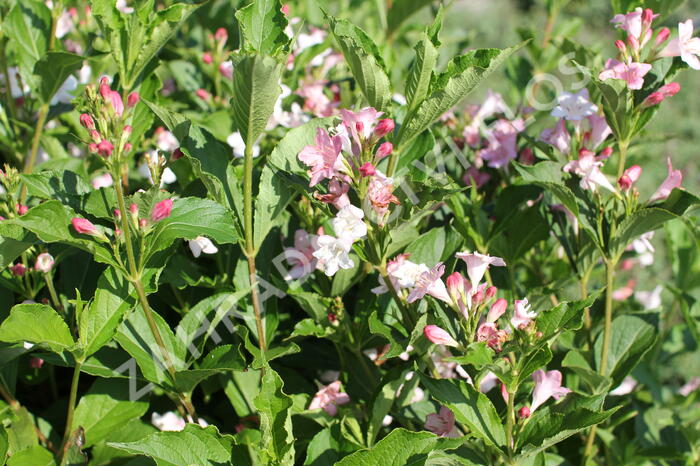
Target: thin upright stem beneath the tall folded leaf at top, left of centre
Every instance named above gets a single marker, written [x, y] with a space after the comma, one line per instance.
[249, 244]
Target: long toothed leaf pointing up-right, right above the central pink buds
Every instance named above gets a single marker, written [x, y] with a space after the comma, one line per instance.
[447, 89]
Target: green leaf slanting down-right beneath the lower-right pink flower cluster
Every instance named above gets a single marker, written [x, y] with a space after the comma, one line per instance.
[470, 407]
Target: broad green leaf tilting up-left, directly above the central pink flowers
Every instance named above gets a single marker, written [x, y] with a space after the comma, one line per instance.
[365, 62]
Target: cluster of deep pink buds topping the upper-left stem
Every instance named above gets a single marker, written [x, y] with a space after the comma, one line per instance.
[106, 119]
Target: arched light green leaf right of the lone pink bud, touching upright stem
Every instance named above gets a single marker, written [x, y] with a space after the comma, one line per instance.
[192, 217]
